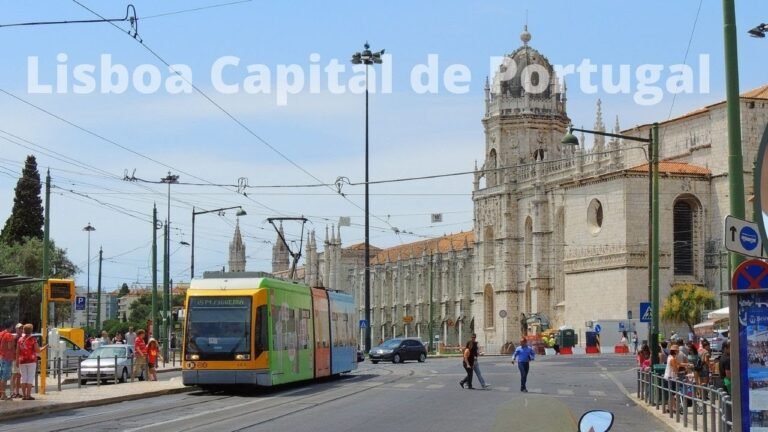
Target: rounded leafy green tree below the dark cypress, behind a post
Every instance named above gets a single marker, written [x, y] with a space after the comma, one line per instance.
[27, 259]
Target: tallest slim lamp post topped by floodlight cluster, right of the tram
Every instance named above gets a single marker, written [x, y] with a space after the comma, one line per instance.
[367, 58]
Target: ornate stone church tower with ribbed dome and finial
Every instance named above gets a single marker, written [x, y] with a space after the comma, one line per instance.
[525, 119]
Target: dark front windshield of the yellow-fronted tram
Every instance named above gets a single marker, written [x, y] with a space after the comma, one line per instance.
[218, 328]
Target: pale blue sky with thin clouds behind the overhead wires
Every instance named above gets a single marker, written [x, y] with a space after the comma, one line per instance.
[314, 136]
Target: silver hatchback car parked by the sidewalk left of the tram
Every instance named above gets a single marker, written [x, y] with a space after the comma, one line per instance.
[107, 363]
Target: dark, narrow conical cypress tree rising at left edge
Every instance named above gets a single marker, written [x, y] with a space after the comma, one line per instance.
[26, 220]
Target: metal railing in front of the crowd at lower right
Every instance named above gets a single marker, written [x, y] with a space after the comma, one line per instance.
[701, 407]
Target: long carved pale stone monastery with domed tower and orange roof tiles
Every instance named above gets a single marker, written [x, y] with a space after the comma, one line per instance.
[558, 231]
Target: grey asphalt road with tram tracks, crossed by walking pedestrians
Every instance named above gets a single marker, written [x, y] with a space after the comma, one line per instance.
[387, 397]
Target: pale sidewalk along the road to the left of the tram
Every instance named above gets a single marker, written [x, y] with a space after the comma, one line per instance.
[90, 395]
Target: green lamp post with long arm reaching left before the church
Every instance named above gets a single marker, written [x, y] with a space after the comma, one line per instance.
[653, 201]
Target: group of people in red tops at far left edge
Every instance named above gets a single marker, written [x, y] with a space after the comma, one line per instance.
[18, 360]
